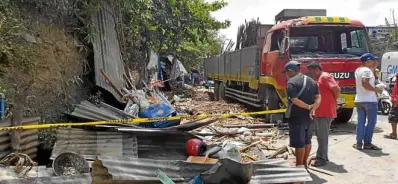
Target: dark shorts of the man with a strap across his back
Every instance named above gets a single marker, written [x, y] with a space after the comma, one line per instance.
[300, 131]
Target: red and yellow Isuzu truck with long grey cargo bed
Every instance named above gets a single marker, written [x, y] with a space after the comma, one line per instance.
[253, 75]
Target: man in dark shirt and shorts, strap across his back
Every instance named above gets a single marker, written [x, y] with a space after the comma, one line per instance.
[304, 99]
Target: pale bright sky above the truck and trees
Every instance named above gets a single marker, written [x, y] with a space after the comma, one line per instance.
[369, 12]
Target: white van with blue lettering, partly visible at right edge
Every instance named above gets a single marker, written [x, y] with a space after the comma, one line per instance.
[389, 66]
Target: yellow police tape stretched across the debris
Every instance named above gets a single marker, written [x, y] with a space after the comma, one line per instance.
[139, 120]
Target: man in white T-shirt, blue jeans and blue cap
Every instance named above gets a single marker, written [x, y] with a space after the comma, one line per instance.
[366, 102]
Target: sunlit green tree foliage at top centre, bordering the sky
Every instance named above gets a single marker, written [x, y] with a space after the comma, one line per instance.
[183, 28]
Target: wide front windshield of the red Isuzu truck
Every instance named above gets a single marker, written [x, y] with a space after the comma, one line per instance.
[327, 41]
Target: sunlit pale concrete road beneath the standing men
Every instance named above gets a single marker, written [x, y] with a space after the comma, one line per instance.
[352, 166]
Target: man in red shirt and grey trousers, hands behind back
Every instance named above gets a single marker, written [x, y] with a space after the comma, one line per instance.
[324, 115]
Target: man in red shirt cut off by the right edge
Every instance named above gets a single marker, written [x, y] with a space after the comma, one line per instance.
[393, 117]
